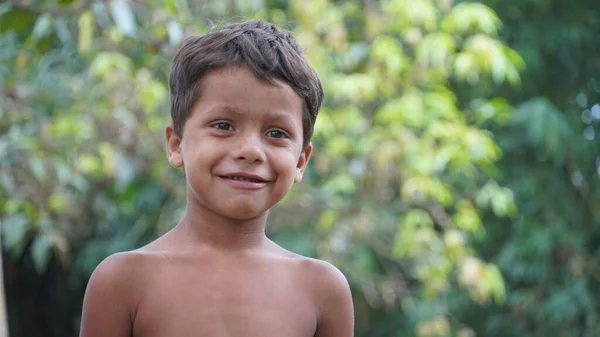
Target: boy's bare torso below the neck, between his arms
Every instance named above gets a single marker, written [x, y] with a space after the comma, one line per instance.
[266, 293]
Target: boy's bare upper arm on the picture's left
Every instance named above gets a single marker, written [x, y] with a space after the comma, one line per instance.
[108, 301]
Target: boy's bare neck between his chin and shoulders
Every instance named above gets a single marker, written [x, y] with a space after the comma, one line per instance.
[204, 227]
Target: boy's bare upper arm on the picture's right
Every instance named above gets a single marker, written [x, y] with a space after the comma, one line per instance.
[336, 311]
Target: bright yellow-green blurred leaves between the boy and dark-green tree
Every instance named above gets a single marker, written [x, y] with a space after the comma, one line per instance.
[403, 171]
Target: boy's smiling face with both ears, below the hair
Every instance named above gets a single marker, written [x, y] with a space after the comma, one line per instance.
[242, 144]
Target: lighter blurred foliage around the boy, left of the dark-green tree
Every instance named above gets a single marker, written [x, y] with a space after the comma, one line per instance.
[405, 163]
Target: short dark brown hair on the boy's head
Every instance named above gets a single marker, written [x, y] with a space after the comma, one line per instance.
[268, 51]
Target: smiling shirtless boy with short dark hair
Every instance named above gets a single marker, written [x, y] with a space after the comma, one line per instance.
[244, 102]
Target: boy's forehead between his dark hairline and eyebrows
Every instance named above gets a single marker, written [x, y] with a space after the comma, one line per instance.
[238, 88]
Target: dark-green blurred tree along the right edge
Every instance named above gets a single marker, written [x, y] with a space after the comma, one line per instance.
[549, 255]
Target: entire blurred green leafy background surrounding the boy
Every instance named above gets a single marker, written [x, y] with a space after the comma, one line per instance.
[456, 179]
